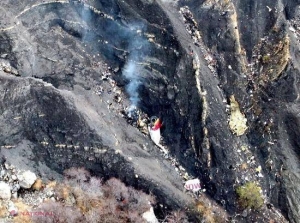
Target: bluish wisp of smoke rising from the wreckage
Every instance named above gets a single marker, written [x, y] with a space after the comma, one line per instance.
[128, 37]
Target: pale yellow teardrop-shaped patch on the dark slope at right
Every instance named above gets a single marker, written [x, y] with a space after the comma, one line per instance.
[237, 121]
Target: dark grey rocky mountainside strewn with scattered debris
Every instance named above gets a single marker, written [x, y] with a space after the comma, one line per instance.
[79, 79]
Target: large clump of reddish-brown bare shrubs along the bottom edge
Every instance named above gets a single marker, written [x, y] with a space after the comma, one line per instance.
[84, 198]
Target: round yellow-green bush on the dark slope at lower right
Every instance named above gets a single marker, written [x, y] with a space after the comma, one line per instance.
[249, 195]
